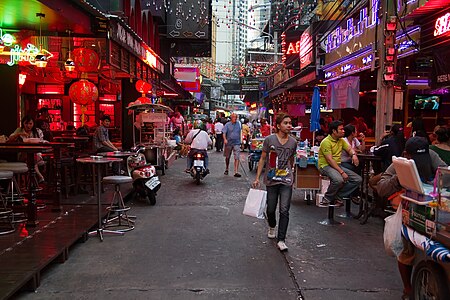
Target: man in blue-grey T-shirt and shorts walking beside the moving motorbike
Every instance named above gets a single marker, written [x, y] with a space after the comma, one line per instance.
[232, 141]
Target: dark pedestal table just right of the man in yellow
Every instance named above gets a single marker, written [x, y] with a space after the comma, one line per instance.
[365, 209]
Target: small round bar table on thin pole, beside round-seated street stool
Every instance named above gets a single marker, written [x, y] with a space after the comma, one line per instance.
[96, 161]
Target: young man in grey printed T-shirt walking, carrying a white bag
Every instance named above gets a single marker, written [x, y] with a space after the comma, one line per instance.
[278, 156]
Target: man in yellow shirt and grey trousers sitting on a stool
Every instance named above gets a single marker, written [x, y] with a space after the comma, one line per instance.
[342, 180]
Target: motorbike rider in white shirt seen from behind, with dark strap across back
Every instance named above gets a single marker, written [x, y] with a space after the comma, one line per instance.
[199, 140]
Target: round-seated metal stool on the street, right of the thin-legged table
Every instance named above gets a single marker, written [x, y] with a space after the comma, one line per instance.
[122, 221]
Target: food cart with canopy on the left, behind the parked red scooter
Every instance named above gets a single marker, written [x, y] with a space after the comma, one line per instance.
[151, 130]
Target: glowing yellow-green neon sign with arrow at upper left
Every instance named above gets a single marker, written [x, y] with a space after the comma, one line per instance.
[17, 53]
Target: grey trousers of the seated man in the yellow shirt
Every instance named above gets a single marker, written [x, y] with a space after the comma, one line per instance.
[337, 186]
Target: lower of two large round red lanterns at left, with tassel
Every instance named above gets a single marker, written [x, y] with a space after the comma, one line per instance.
[83, 93]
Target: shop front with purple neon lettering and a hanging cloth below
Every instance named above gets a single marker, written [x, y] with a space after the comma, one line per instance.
[350, 67]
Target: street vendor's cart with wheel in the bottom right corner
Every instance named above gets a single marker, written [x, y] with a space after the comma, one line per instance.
[426, 224]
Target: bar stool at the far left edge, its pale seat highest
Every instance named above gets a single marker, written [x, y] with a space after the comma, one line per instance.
[14, 193]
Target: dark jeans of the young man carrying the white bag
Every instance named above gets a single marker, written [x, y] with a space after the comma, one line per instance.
[284, 193]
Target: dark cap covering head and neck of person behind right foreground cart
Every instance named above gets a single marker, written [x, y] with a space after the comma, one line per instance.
[418, 148]
